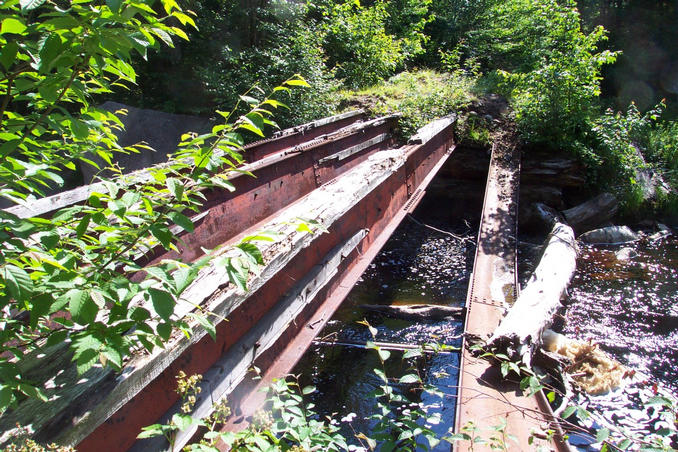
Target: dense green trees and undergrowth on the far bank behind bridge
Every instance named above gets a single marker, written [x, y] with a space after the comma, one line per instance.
[541, 55]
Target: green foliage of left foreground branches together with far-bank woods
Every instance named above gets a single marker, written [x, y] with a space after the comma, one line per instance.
[59, 59]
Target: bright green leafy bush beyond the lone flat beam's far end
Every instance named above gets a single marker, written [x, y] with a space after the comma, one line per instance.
[551, 69]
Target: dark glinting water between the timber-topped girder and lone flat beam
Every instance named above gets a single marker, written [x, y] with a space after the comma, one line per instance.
[417, 265]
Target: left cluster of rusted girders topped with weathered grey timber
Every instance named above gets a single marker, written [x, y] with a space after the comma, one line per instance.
[360, 197]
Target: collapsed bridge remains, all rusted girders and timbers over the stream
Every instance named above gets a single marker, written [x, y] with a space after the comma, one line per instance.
[342, 173]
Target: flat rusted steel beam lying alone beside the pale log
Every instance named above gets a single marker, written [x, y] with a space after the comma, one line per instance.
[485, 398]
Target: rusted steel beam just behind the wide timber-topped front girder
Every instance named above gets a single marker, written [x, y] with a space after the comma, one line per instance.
[279, 179]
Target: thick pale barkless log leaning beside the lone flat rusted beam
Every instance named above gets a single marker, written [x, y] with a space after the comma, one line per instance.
[519, 333]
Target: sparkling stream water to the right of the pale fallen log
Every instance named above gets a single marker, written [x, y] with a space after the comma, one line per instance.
[626, 300]
